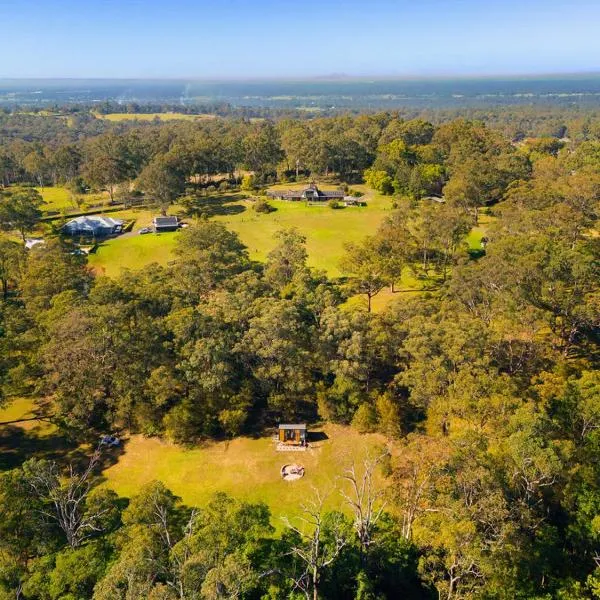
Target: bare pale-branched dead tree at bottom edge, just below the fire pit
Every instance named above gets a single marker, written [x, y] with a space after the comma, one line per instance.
[314, 552]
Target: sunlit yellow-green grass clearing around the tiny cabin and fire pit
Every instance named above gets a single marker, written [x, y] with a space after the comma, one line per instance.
[247, 468]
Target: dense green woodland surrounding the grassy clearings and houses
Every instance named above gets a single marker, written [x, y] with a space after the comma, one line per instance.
[486, 386]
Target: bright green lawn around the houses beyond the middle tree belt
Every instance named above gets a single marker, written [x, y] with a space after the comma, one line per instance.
[326, 231]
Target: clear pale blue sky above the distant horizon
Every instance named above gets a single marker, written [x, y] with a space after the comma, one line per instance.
[267, 38]
